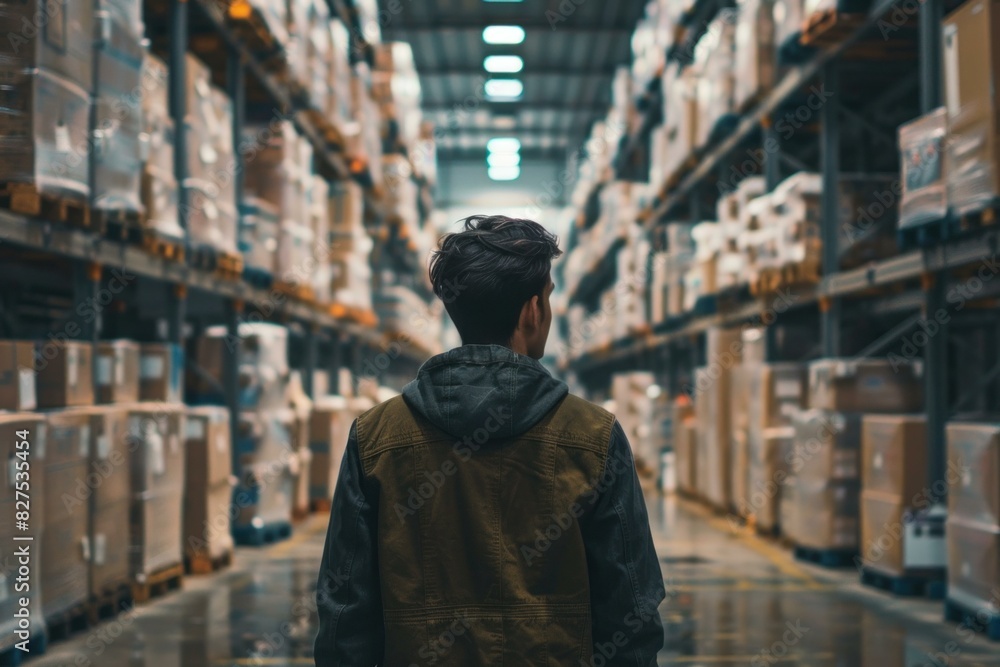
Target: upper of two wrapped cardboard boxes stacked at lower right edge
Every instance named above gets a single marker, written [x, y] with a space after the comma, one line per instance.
[973, 473]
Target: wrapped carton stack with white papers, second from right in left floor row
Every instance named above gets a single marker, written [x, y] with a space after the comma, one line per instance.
[156, 445]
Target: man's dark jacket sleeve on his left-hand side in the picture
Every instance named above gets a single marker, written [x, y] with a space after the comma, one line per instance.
[348, 595]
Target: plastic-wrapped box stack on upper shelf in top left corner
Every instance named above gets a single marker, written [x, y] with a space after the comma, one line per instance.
[46, 119]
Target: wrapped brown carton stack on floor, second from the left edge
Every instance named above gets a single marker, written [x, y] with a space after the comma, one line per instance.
[64, 526]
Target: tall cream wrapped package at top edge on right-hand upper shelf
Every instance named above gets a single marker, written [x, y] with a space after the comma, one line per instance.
[755, 52]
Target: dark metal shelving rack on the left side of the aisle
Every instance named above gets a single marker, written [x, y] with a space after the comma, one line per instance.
[169, 301]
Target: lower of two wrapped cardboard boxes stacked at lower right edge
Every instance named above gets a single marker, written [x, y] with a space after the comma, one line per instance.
[973, 563]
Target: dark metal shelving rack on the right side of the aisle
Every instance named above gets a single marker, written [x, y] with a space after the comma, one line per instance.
[915, 283]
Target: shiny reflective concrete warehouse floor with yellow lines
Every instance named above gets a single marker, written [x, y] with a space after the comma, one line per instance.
[733, 599]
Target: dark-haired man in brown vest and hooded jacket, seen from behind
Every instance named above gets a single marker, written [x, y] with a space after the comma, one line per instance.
[486, 516]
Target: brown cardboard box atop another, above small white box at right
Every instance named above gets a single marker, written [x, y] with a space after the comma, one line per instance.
[894, 455]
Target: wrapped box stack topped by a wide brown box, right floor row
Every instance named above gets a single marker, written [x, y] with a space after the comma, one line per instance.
[820, 500]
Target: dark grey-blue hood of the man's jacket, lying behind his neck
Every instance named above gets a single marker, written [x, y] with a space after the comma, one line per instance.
[483, 388]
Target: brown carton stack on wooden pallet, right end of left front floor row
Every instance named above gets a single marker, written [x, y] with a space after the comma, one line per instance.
[207, 485]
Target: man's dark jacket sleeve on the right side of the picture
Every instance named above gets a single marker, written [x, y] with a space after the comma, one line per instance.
[626, 584]
